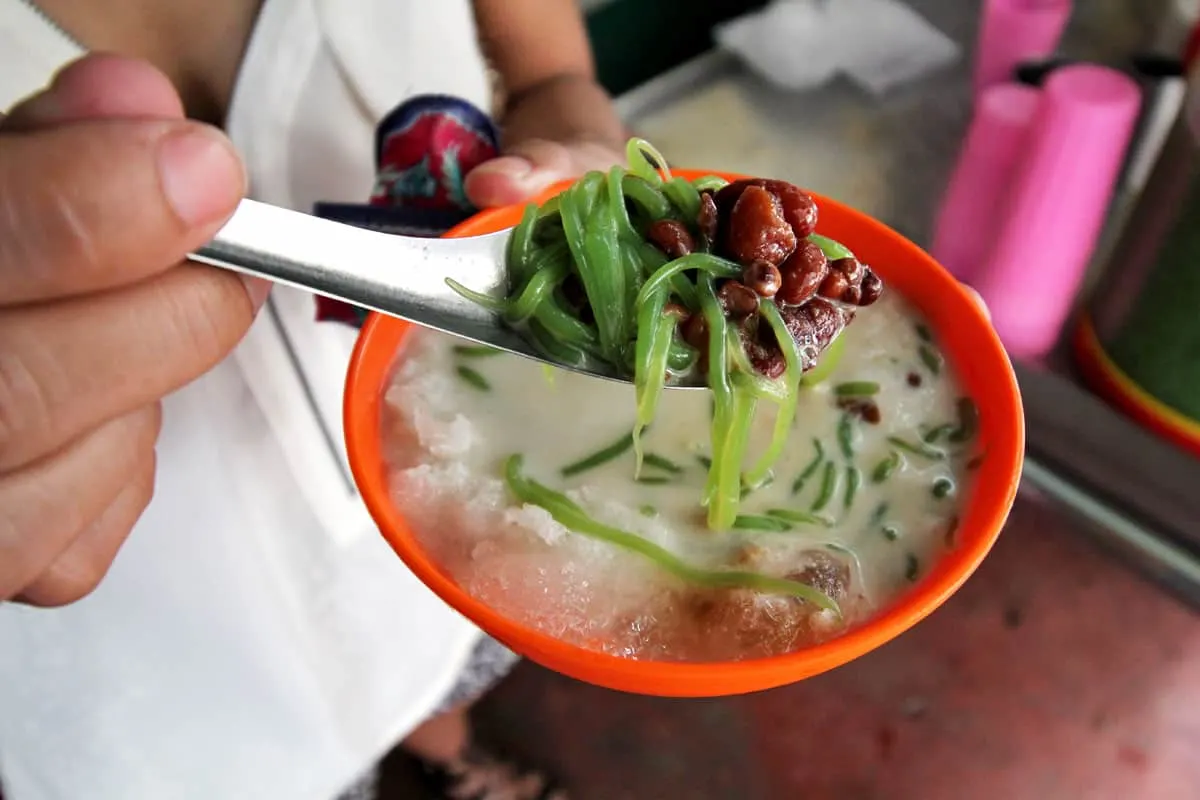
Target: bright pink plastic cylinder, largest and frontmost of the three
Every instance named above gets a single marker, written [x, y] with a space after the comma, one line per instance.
[1058, 206]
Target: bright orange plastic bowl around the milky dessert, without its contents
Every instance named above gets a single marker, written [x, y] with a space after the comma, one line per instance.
[970, 345]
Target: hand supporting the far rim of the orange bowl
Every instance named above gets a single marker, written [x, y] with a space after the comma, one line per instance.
[530, 167]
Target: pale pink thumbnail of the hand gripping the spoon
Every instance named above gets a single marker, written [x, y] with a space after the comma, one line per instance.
[202, 176]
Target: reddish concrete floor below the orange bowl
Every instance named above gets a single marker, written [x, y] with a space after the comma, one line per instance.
[1054, 675]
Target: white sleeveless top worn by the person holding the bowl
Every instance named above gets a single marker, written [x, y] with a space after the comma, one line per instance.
[256, 637]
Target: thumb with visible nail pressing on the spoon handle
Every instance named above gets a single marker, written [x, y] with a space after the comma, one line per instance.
[94, 206]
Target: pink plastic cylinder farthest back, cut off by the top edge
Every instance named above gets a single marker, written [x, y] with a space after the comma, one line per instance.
[1013, 32]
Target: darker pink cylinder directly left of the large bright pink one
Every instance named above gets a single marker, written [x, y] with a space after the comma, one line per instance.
[975, 200]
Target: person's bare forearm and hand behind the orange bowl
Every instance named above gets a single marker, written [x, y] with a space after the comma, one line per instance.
[557, 121]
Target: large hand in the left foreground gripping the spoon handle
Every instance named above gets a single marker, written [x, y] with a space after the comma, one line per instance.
[104, 191]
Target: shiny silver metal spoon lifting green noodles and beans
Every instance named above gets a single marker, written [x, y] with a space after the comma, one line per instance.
[403, 276]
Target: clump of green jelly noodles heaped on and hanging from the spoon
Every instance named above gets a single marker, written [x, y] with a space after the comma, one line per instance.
[595, 234]
